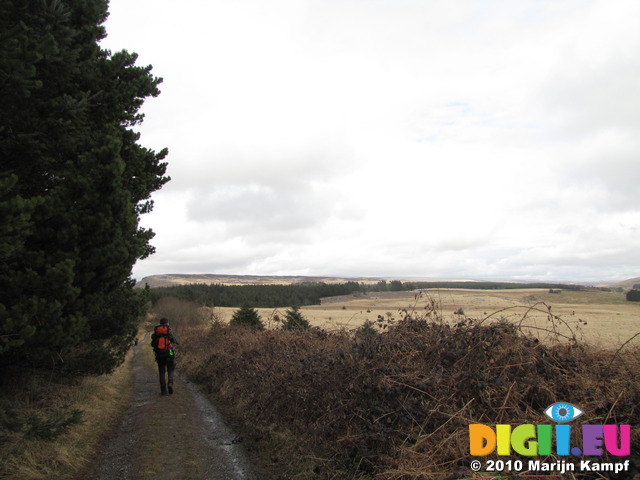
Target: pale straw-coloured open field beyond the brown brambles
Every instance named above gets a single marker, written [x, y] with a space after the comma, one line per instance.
[610, 319]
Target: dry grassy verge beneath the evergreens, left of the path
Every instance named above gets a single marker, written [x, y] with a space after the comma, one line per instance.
[42, 437]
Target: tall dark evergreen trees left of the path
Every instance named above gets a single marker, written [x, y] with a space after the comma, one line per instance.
[73, 184]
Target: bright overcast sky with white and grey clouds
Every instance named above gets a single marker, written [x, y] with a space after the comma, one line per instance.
[399, 138]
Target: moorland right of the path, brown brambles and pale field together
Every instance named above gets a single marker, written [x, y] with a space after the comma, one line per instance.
[387, 383]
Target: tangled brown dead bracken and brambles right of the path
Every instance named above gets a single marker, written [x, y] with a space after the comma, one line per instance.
[397, 405]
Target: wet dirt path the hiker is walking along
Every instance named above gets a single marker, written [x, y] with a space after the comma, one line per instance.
[179, 436]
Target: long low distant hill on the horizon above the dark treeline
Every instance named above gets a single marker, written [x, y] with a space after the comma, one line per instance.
[170, 280]
